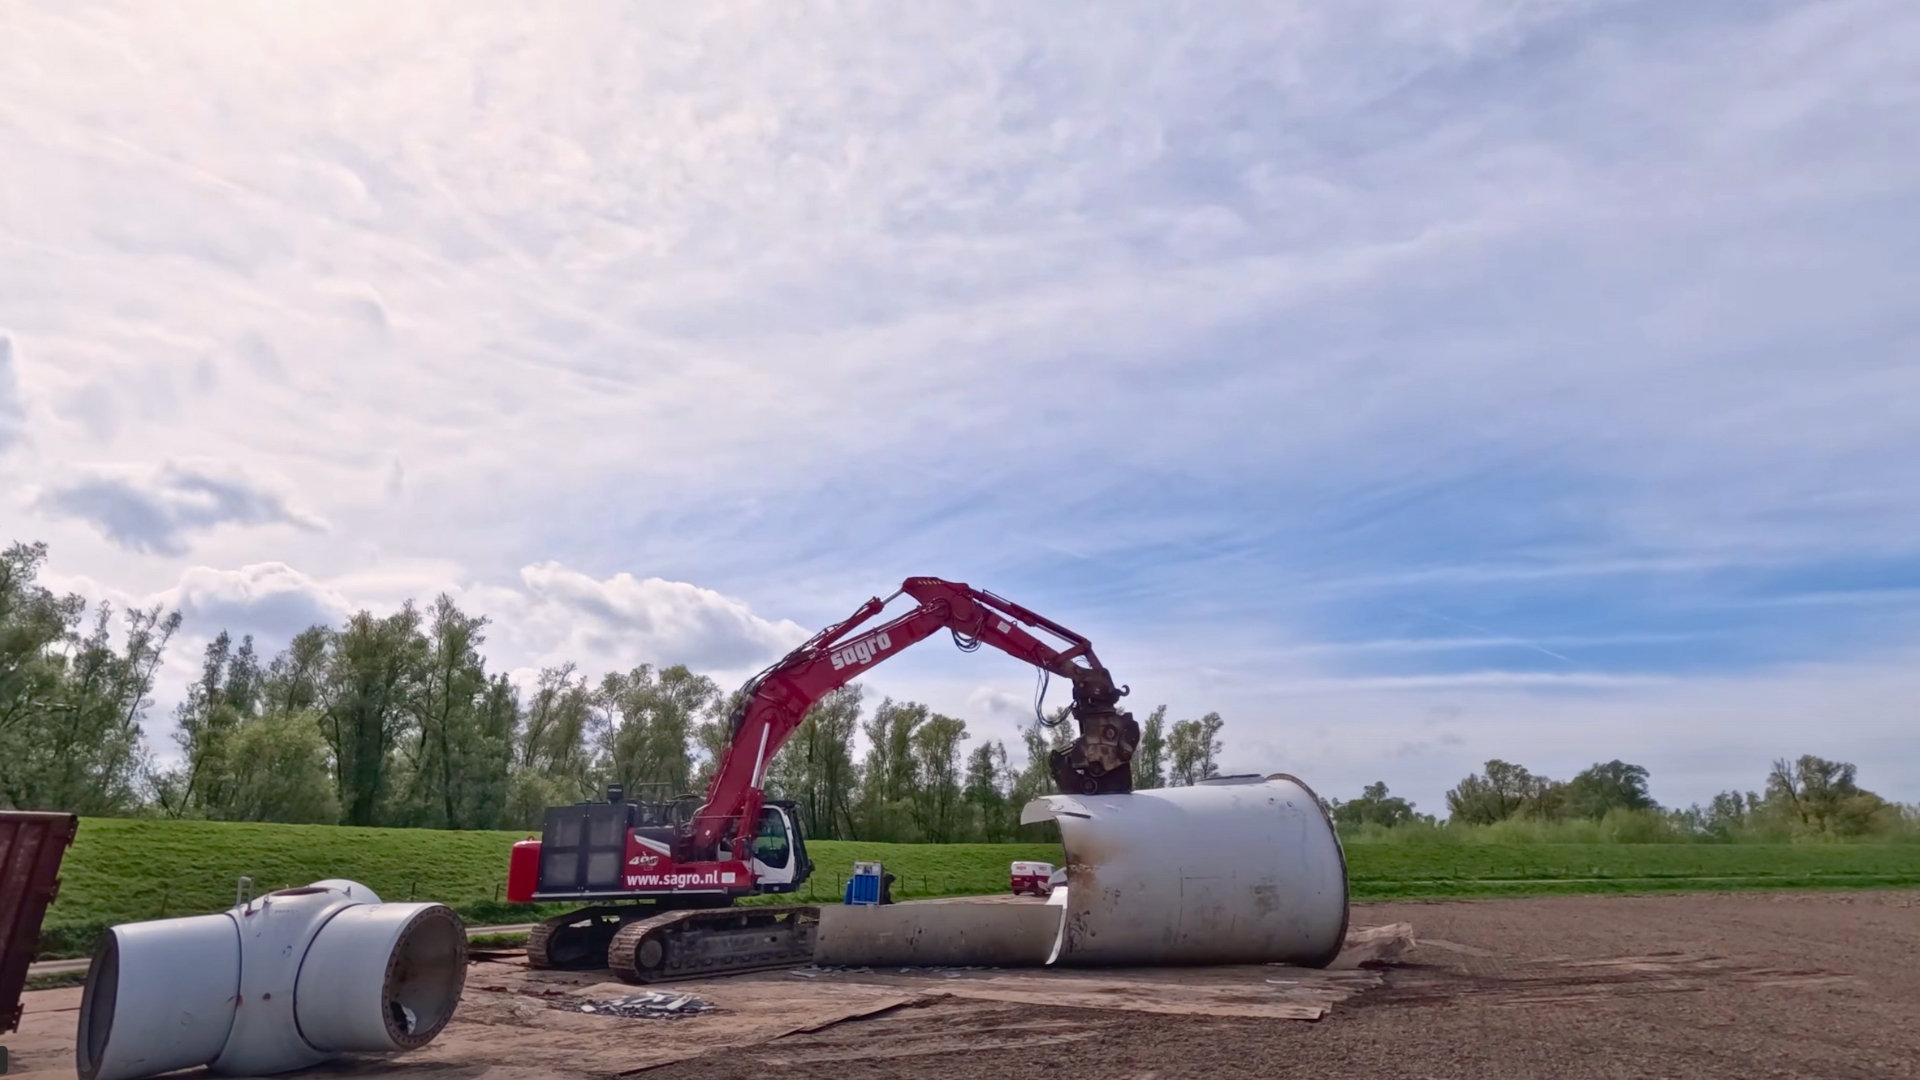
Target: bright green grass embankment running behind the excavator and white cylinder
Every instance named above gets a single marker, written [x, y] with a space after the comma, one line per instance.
[130, 870]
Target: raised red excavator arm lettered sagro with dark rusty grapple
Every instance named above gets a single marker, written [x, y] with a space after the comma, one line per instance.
[777, 700]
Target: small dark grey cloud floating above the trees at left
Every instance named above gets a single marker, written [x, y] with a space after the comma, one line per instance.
[156, 508]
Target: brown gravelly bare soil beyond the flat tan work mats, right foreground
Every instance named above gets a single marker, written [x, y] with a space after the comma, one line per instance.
[1725, 987]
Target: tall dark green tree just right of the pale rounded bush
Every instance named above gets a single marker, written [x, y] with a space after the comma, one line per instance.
[373, 668]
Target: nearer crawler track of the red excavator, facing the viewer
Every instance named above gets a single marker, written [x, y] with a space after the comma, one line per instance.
[688, 945]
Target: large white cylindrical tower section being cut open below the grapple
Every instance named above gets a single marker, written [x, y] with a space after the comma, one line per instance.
[1226, 871]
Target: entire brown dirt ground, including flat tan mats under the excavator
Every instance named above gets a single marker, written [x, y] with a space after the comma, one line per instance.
[1752, 985]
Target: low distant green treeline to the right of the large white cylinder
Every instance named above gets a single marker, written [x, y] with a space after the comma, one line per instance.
[1806, 798]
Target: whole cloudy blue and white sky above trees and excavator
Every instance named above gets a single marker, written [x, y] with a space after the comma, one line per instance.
[1410, 381]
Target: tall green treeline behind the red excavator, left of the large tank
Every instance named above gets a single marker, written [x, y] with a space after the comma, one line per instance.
[398, 722]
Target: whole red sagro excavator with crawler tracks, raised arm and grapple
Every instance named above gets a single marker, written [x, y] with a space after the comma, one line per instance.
[686, 860]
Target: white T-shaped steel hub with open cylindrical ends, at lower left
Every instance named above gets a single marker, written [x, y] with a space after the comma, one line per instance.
[281, 983]
